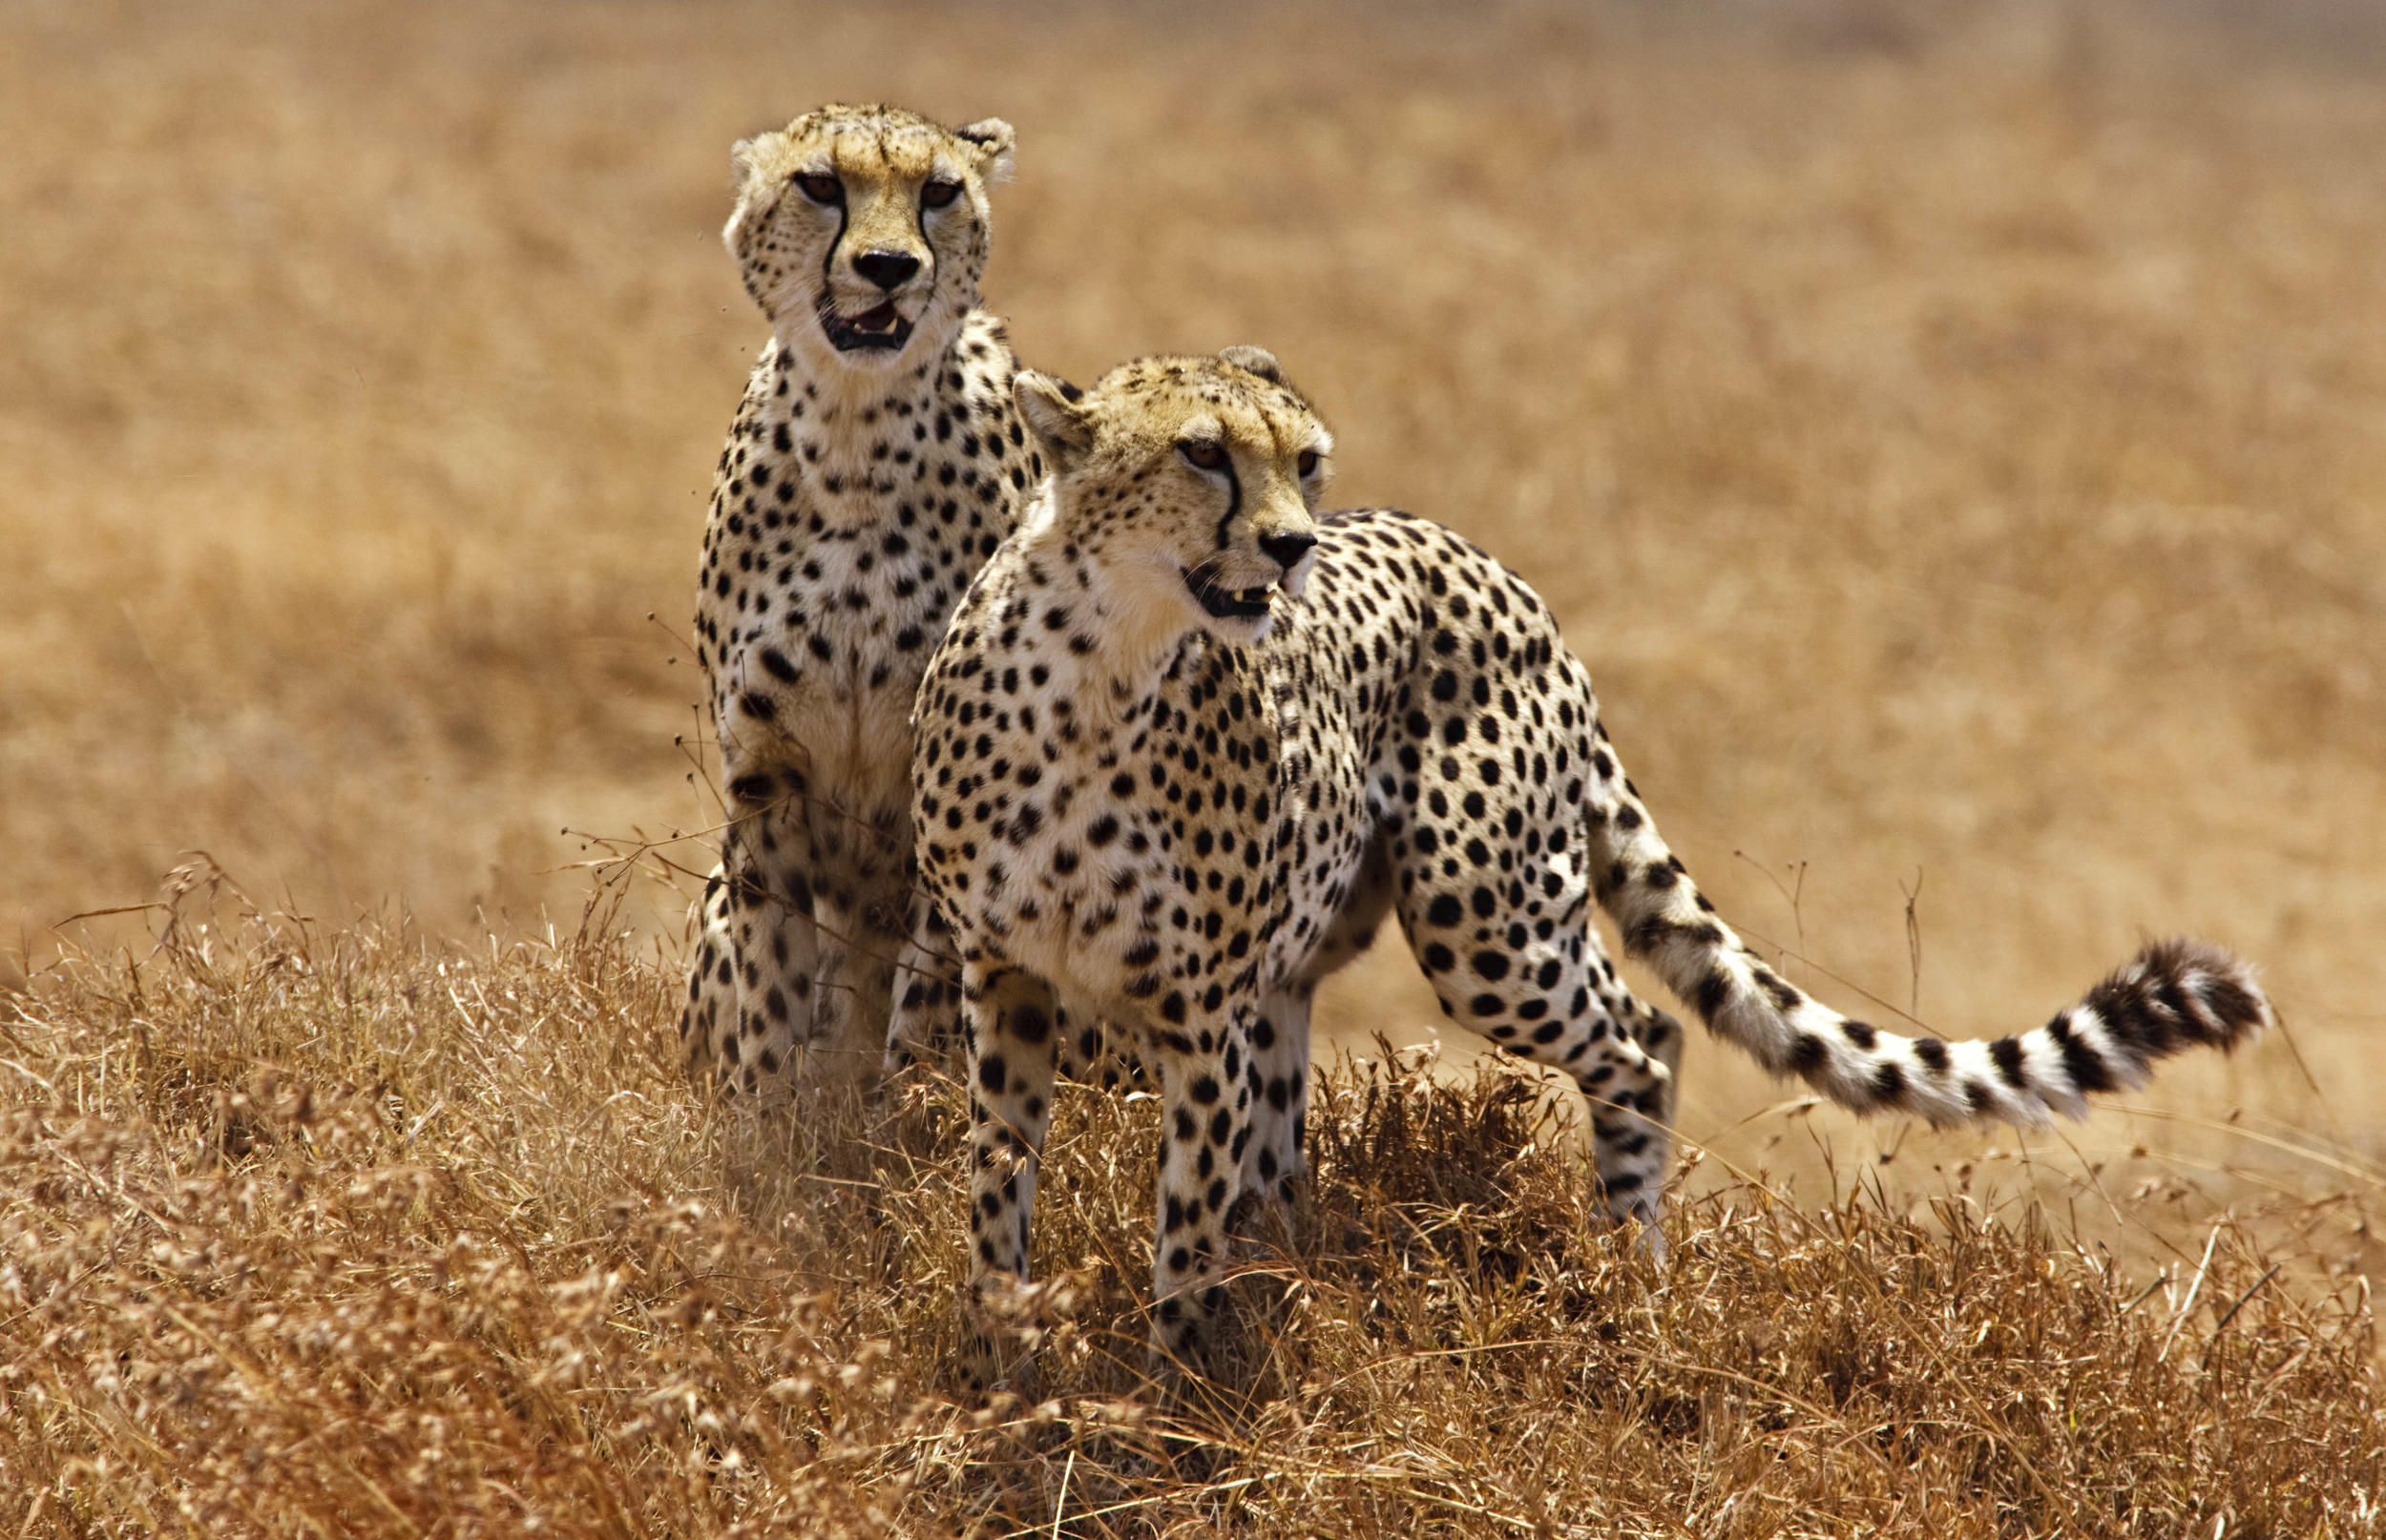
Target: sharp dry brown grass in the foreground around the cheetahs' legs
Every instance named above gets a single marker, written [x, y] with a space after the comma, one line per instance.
[345, 1234]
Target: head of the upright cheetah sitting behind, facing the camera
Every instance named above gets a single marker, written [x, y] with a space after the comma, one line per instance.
[863, 232]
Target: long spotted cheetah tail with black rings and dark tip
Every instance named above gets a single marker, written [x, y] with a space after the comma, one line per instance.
[2170, 998]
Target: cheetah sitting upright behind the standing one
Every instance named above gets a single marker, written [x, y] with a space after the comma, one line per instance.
[872, 468]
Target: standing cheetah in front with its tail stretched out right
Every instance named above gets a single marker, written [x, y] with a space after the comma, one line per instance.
[1187, 743]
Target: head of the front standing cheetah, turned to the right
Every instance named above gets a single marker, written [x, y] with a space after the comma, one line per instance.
[1187, 483]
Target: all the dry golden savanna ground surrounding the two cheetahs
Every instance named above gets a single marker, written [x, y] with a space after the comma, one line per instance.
[1955, 435]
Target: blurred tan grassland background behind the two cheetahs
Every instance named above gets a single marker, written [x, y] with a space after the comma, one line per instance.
[1953, 433]
